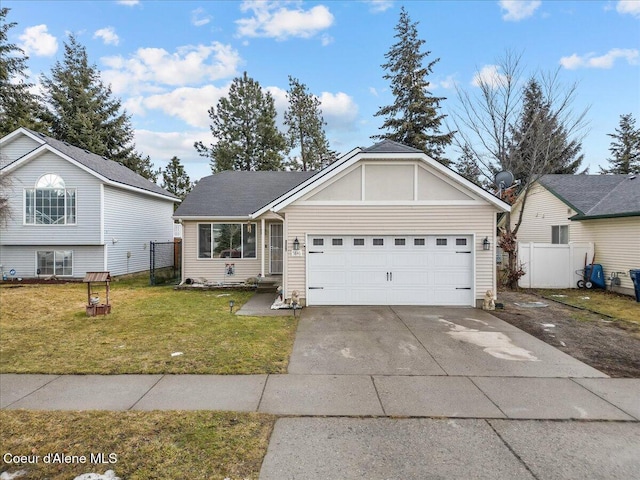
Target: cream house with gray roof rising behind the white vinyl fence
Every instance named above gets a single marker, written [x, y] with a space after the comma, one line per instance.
[603, 209]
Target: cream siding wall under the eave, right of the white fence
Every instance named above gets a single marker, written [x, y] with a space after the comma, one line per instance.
[617, 244]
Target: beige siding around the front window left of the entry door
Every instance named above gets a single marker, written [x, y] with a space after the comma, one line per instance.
[212, 269]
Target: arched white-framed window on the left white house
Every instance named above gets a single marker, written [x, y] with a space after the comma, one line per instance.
[50, 202]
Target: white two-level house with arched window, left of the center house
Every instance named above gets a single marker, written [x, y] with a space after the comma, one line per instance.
[72, 211]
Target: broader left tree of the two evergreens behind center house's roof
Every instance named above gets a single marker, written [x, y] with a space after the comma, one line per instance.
[244, 127]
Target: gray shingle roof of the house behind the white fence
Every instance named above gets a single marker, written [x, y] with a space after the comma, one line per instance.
[596, 196]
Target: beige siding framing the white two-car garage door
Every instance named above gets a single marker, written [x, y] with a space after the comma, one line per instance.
[302, 220]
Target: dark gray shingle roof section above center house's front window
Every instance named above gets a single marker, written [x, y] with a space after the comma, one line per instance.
[238, 193]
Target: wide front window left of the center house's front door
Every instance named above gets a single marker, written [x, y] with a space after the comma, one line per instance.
[227, 240]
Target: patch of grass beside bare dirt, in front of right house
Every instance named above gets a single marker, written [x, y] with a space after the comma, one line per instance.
[619, 307]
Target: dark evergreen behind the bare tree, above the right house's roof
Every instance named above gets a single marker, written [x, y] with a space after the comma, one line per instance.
[538, 141]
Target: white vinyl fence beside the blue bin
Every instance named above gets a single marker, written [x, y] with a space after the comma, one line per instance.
[553, 266]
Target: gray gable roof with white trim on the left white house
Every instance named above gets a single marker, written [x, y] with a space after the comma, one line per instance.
[107, 169]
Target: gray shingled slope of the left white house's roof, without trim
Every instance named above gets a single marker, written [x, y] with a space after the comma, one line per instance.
[110, 169]
